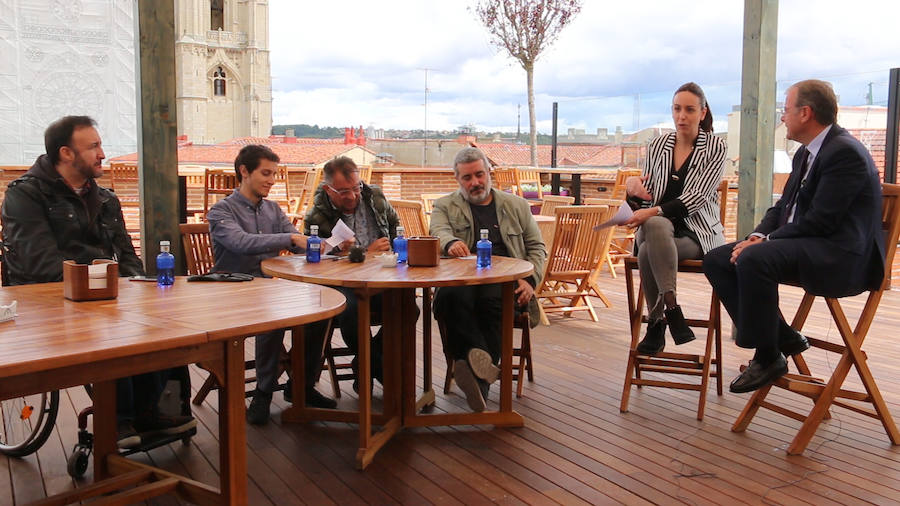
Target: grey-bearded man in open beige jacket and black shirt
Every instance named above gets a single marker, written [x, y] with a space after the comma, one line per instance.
[472, 313]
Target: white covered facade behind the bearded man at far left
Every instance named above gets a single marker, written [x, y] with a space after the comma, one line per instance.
[65, 57]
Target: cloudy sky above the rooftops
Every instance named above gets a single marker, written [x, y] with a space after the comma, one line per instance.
[354, 62]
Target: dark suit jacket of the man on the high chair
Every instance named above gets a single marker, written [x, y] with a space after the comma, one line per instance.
[839, 215]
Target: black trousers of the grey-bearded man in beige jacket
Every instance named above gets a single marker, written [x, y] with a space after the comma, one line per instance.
[471, 315]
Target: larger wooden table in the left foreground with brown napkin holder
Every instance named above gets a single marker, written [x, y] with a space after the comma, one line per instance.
[56, 343]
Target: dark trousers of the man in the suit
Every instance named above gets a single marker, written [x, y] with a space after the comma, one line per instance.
[749, 288]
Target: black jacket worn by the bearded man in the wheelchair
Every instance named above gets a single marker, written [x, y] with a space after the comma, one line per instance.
[45, 222]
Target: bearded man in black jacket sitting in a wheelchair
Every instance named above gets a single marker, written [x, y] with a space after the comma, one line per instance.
[56, 212]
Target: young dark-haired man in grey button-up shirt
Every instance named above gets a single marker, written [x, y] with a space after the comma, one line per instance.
[246, 229]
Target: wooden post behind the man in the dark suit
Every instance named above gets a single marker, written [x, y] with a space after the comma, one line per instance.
[757, 113]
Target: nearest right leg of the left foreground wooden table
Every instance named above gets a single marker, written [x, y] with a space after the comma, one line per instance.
[232, 428]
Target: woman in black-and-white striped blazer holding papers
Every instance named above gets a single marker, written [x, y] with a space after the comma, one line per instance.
[679, 182]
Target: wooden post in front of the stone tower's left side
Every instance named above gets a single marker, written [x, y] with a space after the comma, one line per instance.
[156, 128]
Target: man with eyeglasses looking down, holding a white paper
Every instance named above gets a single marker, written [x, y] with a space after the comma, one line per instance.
[366, 211]
